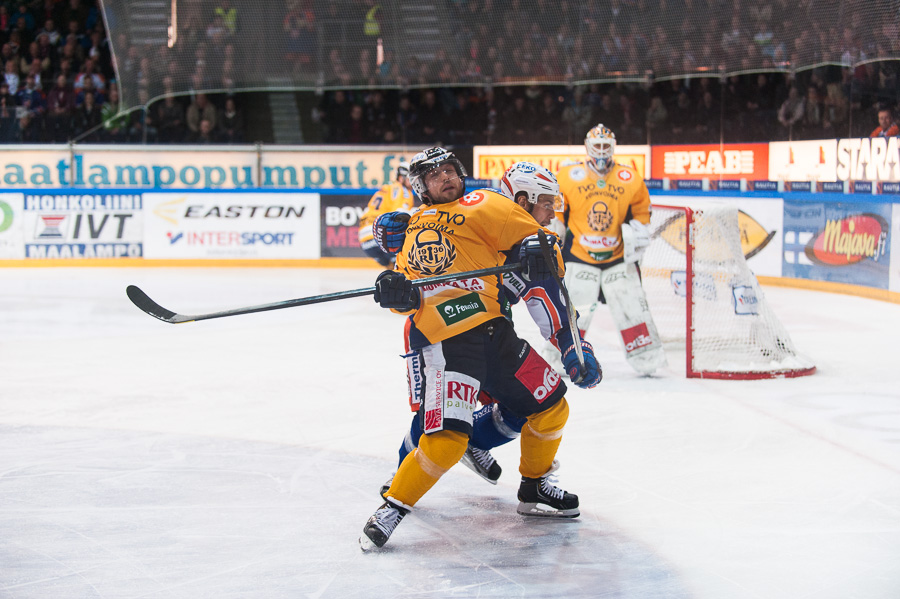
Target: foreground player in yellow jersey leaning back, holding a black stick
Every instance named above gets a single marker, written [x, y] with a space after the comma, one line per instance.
[466, 344]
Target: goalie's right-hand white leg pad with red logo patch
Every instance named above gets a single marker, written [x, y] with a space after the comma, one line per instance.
[629, 310]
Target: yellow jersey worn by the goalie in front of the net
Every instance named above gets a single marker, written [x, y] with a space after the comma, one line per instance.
[594, 209]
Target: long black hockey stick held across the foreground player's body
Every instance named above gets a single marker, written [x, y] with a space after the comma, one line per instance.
[143, 301]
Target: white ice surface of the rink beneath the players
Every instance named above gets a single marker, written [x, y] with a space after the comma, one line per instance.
[240, 457]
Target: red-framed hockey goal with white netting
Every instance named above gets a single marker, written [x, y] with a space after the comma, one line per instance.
[704, 298]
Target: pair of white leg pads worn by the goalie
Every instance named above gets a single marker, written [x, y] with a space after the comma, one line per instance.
[628, 308]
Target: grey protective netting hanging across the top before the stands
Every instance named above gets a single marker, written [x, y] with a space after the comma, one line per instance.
[172, 47]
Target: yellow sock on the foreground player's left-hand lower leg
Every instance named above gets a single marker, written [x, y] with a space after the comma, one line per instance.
[423, 467]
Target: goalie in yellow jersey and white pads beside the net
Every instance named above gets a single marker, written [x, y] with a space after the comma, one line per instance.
[604, 219]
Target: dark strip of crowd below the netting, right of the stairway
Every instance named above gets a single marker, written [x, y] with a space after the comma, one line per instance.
[757, 107]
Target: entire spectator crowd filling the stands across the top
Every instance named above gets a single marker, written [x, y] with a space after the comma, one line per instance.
[59, 81]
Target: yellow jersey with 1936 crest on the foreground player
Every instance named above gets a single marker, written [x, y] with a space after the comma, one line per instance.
[468, 234]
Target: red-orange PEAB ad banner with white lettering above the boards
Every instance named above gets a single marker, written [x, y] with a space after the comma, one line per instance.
[729, 161]
